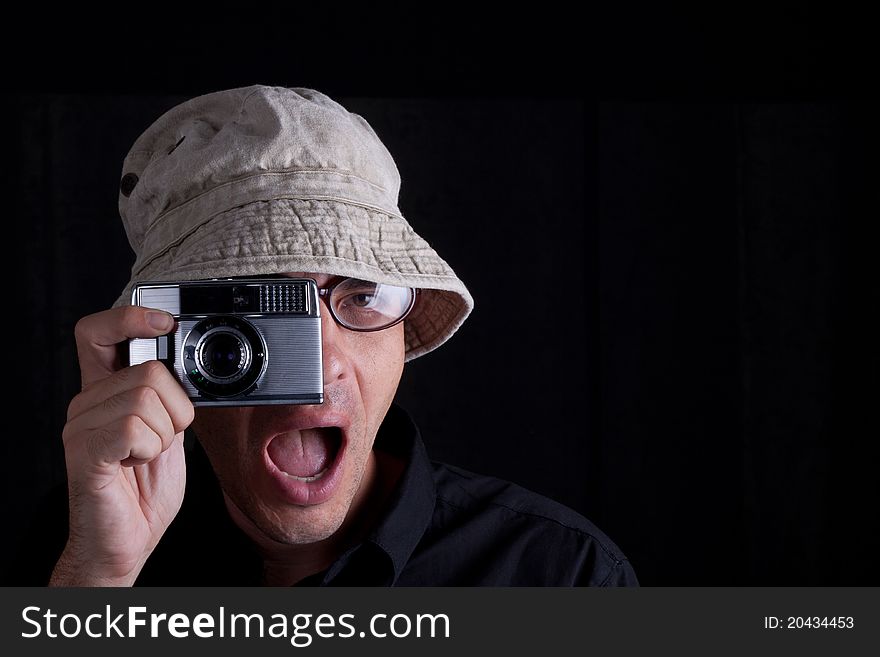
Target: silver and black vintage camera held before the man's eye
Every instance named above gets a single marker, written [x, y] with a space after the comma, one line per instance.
[238, 342]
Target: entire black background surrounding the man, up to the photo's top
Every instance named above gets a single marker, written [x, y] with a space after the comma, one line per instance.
[666, 221]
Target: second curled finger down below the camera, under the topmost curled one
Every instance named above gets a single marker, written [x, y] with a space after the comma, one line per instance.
[142, 401]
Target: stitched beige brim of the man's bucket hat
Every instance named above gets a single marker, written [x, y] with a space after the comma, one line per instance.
[319, 236]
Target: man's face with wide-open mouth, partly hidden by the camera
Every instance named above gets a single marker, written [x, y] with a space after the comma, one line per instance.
[294, 471]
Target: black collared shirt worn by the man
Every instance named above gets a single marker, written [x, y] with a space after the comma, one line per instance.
[444, 527]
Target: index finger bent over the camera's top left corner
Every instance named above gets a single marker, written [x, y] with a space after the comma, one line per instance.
[98, 335]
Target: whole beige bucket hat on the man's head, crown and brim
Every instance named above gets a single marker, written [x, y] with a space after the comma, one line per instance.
[263, 180]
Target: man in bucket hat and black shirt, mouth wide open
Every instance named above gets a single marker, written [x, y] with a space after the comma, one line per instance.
[272, 181]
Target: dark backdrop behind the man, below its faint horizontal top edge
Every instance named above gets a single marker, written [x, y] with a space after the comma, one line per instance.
[676, 317]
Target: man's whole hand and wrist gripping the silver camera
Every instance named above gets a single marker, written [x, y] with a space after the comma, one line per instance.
[123, 445]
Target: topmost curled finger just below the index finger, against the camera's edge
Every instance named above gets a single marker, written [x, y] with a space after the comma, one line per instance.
[151, 374]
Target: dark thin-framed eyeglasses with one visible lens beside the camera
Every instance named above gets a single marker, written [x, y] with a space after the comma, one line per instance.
[366, 306]
